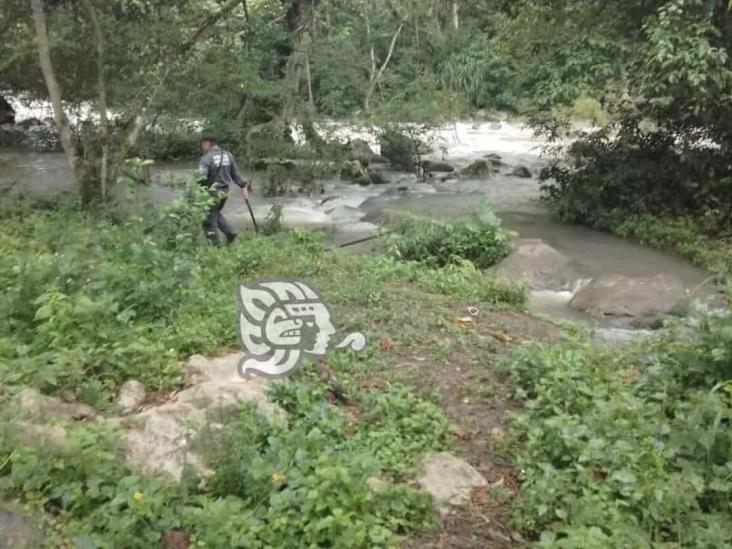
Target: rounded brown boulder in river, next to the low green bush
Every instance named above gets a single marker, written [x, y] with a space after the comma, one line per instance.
[539, 266]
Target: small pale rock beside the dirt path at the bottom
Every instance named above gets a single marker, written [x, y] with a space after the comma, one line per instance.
[448, 478]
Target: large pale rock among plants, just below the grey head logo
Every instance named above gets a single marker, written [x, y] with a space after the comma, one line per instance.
[158, 439]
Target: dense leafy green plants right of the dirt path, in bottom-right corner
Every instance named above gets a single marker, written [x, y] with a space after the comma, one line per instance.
[626, 447]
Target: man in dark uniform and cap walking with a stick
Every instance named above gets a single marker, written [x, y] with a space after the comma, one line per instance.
[218, 170]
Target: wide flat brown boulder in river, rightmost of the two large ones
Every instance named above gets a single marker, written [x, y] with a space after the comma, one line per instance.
[618, 295]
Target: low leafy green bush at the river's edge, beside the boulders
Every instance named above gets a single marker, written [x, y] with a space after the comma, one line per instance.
[441, 243]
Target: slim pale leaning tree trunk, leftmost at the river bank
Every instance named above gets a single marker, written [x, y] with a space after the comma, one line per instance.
[54, 91]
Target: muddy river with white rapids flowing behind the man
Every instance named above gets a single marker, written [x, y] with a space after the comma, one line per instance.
[347, 212]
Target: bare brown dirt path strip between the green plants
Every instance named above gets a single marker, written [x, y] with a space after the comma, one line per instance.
[474, 396]
